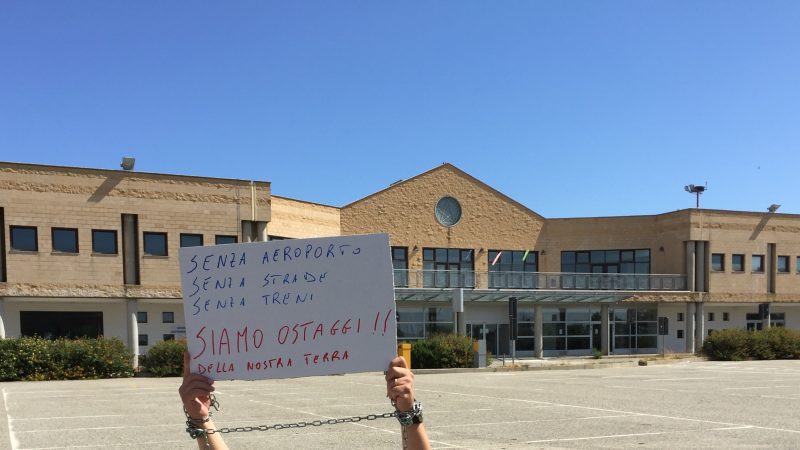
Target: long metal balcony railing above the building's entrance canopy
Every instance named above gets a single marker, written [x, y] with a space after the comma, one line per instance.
[538, 280]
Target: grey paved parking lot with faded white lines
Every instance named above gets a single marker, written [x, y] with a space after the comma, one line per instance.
[688, 404]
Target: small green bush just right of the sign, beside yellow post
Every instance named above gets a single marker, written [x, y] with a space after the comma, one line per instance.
[442, 351]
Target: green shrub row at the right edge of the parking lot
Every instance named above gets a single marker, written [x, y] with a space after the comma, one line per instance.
[739, 345]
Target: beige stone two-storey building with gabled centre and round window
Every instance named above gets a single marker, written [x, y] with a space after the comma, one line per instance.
[87, 251]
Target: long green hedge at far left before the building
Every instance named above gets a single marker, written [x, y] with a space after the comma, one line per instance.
[35, 358]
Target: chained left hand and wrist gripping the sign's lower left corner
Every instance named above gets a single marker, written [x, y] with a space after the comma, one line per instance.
[195, 392]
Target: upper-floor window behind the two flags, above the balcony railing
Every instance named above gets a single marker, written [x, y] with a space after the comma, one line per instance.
[512, 269]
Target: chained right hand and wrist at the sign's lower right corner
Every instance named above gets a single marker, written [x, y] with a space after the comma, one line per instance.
[400, 390]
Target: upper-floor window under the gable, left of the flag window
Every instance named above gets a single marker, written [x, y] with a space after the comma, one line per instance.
[448, 267]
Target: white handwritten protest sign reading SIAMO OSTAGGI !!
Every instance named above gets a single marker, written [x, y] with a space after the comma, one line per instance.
[289, 308]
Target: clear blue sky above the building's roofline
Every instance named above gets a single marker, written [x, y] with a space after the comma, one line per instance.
[579, 108]
